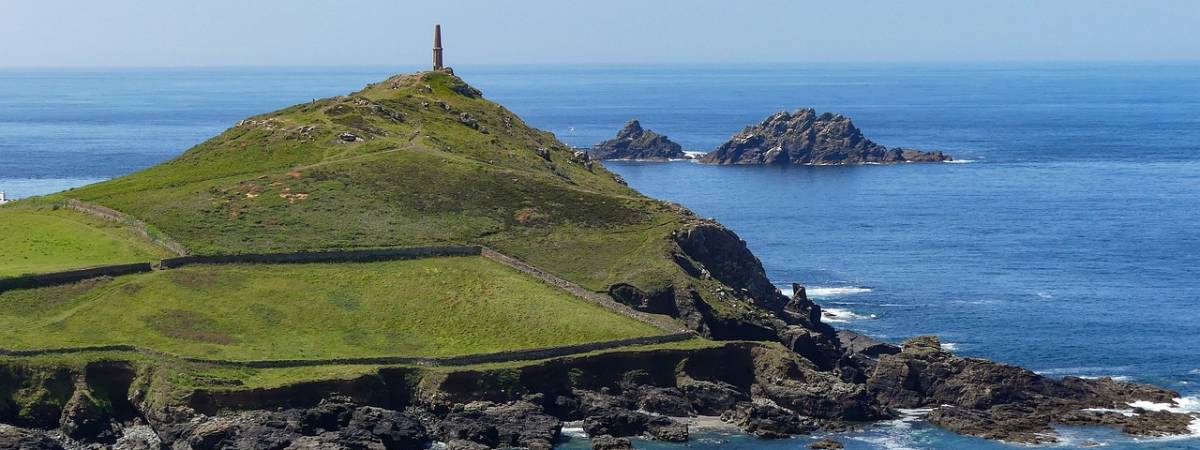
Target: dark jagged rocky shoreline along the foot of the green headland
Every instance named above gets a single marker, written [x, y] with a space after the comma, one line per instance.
[764, 389]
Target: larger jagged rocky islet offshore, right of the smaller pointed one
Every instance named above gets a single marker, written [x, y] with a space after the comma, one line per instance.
[806, 139]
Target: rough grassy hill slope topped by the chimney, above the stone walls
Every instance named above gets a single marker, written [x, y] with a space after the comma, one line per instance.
[416, 160]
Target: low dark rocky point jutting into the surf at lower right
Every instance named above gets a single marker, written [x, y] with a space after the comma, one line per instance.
[998, 401]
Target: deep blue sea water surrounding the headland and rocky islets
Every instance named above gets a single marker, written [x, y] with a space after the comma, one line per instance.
[1069, 242]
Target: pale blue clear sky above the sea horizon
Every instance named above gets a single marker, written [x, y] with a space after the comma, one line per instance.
[310, 33]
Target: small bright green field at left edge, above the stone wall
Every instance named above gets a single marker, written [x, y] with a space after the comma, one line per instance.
[45, 241]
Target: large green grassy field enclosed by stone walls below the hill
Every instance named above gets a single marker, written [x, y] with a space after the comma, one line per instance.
[425, 308]
